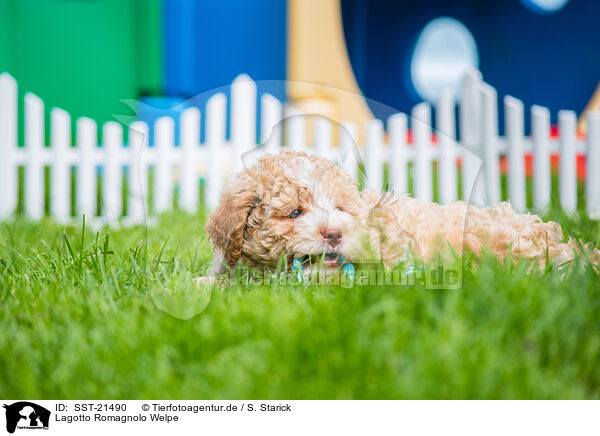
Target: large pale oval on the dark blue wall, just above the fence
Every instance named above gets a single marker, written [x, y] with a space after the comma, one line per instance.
[443, 53]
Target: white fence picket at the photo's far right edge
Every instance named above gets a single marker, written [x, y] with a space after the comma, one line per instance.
[593, 165]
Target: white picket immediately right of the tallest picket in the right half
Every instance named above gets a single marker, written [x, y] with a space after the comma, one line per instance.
[491, 163]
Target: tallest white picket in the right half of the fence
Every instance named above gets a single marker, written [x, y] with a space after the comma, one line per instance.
[470, 137]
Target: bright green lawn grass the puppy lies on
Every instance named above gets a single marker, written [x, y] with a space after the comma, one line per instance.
[92, 318]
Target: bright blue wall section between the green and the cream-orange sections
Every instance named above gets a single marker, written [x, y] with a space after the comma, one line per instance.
[208, 43]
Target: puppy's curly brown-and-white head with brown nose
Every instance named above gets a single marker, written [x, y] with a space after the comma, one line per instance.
[290, 205]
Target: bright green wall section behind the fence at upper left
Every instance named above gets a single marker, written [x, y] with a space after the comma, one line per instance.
[83, 56]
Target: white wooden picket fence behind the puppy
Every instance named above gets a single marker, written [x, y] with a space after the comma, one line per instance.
[191, 162]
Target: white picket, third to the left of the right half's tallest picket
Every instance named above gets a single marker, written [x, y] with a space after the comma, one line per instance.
[397, 128]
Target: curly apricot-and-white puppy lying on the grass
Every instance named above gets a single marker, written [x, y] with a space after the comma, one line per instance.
[290, 204]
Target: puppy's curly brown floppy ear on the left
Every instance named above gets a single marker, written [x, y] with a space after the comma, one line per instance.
[227, 224]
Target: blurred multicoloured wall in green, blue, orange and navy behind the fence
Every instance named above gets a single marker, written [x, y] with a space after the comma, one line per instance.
[86, 55]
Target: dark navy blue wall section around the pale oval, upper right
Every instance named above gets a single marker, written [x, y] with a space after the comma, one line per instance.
[545, 58]
